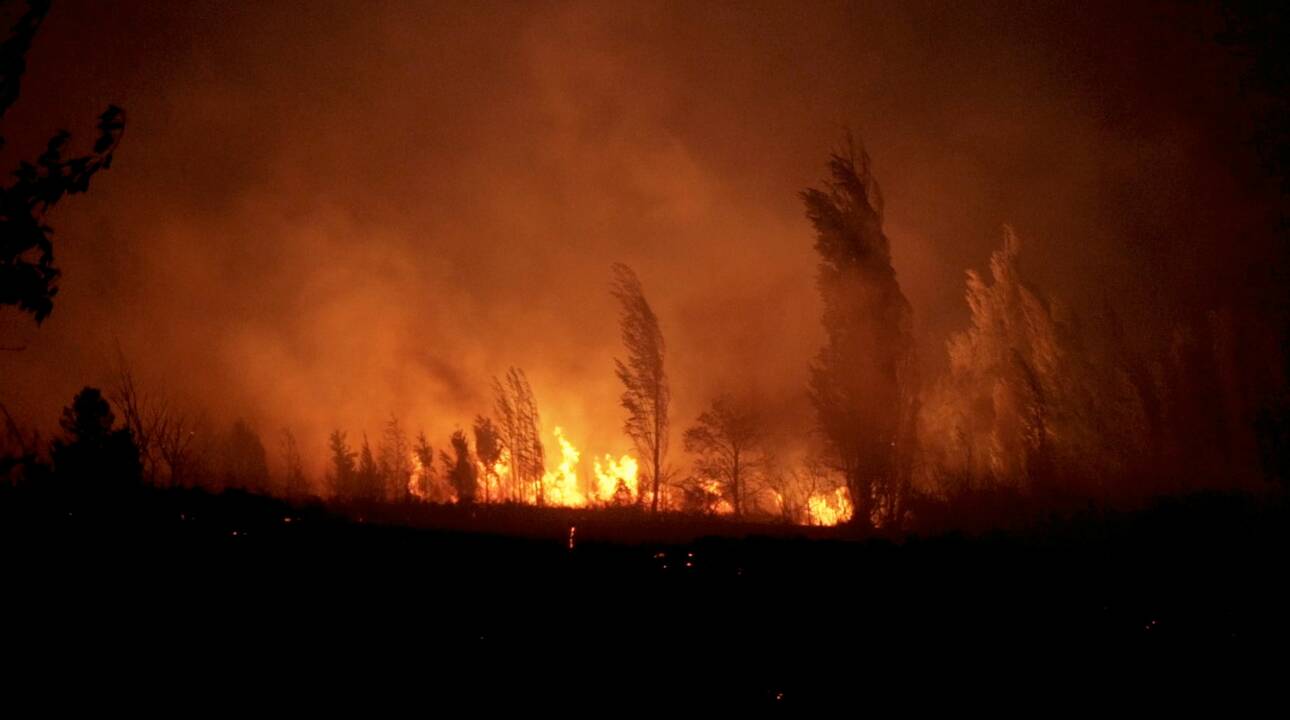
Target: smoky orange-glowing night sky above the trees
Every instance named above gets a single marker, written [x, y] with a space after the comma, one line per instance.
[323, 214]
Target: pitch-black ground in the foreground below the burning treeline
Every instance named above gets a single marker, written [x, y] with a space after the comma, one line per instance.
[235, 599]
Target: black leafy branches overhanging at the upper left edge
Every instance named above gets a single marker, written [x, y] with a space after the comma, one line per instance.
[28, 273]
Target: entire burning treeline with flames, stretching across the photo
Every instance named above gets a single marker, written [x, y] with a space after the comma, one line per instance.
[1038, 411]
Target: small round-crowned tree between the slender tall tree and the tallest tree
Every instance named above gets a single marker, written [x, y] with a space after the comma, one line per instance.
[726, 441]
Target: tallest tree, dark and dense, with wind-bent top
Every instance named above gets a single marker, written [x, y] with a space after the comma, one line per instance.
[864, 383]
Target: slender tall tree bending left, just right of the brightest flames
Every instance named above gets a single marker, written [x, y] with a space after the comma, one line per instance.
[646, 392]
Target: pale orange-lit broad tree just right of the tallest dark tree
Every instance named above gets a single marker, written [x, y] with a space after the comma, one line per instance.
[1026, 403]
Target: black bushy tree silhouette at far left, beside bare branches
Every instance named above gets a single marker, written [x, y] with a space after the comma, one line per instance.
[94, 457]
